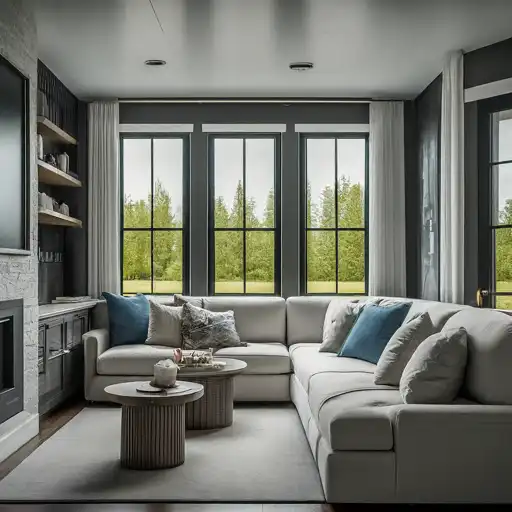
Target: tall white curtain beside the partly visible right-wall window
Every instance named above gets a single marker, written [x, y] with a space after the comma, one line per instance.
[452, 182]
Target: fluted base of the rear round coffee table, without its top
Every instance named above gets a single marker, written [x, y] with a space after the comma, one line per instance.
[215, 408]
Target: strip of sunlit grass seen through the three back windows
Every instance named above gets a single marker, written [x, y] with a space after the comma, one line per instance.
[140, 286]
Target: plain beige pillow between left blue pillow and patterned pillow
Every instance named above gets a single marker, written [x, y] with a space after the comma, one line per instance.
[164, 325]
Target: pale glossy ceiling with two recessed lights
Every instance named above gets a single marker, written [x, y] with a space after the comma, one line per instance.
[237, 48]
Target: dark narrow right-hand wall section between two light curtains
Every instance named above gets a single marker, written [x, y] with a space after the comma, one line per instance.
[428, 137]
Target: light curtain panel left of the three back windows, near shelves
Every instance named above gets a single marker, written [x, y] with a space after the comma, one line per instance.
[104, 198]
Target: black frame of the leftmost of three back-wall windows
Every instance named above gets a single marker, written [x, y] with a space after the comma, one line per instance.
[185, 229]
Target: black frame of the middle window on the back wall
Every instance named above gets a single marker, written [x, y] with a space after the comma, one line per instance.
[277, 137]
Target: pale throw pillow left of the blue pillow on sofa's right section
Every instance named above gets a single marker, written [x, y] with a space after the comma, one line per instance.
[340, 316]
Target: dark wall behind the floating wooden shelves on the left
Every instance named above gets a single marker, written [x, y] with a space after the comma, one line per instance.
[69, 276]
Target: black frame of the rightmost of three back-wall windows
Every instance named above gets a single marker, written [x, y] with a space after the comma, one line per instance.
[303, 210]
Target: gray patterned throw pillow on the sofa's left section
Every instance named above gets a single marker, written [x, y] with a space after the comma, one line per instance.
[202, 329]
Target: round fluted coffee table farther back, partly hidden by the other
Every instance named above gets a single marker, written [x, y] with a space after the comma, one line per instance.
[215, 408]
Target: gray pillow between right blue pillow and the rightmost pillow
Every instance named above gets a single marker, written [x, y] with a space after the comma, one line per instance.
[401, 347]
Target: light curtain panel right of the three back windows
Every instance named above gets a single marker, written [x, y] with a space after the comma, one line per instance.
[386, 273]
